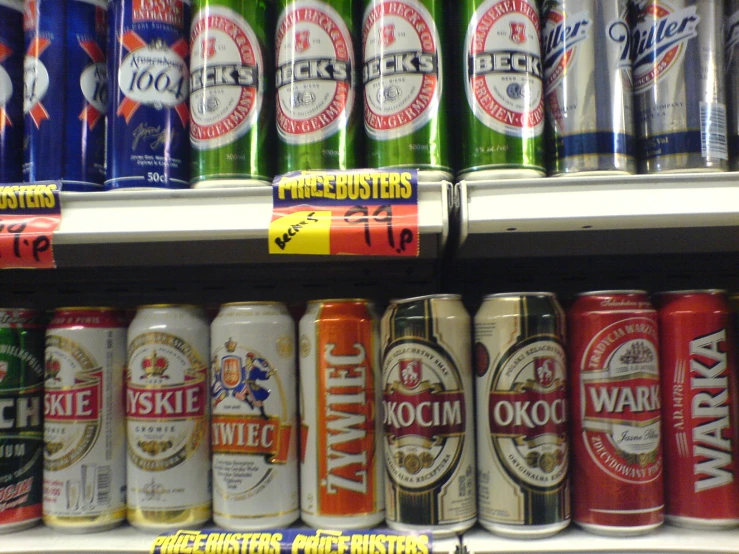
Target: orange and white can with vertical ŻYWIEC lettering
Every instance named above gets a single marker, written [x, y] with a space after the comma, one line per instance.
[341, 471]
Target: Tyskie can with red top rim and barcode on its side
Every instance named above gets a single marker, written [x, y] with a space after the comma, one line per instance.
[84, 424]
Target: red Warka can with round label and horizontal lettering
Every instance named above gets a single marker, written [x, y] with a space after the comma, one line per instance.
[617, 484]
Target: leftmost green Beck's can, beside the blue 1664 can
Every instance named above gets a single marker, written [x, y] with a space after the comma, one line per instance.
[231, 99]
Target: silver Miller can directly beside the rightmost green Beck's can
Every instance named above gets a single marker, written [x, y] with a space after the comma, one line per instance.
[587, 86]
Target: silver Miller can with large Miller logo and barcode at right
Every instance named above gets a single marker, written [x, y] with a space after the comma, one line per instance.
[678, 72]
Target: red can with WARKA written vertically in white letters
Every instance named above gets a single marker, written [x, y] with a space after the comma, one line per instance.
[700, 409]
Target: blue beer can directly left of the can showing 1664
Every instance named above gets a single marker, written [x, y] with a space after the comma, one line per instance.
[65, 92]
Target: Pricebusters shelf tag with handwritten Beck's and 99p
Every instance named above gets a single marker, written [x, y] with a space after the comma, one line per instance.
[363, 212]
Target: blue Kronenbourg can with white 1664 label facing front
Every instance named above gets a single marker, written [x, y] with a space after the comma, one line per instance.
[148, 115]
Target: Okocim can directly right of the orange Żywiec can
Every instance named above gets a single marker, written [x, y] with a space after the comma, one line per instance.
[429, 415]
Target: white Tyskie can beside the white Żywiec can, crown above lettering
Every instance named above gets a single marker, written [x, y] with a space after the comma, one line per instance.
[167, 410]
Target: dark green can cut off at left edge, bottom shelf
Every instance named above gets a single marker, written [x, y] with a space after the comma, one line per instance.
[21, 417]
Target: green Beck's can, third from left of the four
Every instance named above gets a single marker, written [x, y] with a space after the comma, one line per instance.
[404, 45]
